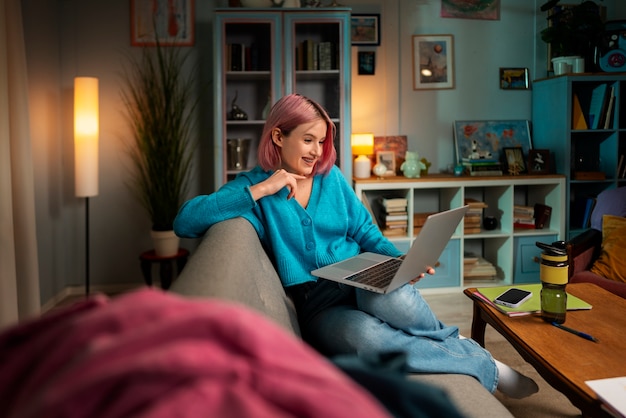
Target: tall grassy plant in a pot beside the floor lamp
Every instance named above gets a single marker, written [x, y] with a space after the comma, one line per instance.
[159, 107]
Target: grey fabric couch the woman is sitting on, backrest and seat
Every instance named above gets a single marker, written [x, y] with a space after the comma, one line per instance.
[230, 263]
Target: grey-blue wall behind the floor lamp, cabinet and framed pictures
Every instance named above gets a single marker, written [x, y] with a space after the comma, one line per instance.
[67, 38]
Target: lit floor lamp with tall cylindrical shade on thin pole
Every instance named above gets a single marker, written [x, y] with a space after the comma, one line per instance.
[86, 130]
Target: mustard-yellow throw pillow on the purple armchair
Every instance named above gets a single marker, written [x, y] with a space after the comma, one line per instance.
[611, 263]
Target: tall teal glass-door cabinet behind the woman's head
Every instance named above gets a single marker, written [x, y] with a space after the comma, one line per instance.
[261, 55]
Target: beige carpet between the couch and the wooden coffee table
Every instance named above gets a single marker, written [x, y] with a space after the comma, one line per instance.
[548, 402]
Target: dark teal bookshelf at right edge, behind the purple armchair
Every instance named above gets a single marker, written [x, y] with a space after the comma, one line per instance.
[582, 121]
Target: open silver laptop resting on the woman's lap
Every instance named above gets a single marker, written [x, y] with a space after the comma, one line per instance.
[383, 274]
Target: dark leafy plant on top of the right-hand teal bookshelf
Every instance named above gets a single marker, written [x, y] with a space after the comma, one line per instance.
[573, 30]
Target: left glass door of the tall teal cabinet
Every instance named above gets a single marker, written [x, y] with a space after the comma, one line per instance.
[248, 82]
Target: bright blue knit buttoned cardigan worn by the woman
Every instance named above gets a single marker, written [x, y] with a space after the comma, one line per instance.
[334, 226]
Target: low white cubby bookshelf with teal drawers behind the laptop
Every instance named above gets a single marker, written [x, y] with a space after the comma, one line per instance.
[511, 251]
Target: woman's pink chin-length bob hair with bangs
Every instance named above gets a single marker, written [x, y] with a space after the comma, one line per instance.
[288, 113]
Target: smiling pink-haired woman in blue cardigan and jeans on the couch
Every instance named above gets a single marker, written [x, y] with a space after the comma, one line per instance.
[307, 216]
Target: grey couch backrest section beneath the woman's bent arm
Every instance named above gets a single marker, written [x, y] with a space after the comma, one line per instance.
[230, 263]
